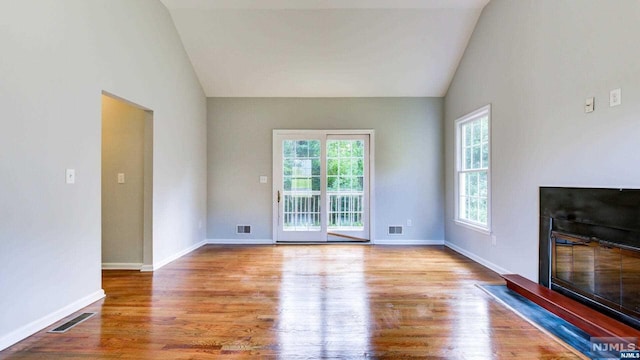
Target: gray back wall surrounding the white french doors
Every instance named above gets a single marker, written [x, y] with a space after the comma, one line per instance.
[408, 159]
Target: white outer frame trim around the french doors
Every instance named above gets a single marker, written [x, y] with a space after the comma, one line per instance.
[324, 133]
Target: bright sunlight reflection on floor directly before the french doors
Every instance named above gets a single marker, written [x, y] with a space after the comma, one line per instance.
[324, 309]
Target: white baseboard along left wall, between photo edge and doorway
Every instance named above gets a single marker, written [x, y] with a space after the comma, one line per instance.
[47, 320]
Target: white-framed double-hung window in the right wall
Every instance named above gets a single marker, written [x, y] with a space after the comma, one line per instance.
[473, 205]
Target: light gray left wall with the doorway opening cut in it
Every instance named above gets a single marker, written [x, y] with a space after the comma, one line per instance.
[57, 58]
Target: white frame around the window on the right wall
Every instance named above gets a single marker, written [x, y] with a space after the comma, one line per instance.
[486, 229]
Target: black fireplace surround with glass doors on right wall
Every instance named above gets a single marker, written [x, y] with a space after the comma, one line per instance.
[590, 248]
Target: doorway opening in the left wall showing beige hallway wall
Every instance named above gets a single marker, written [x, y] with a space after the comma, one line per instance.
[127, 185]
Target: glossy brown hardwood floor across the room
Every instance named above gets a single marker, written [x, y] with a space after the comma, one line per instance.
[300, 302]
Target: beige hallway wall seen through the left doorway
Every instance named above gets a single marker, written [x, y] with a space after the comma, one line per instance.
[123, 151]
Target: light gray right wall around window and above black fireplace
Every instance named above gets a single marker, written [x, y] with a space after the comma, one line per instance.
[536, 61]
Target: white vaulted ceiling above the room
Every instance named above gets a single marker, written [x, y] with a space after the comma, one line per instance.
[325, 48]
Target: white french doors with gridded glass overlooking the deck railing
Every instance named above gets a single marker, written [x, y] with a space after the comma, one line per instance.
[321, 183]
